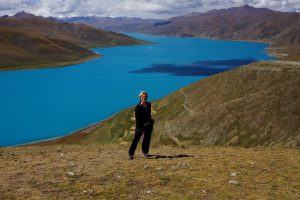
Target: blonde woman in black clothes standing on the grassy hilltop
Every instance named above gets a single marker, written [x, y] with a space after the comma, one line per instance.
[144, 125]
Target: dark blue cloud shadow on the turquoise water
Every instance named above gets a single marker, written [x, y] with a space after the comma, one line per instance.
[200, 68]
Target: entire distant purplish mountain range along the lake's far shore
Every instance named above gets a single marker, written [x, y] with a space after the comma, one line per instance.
[280, 29]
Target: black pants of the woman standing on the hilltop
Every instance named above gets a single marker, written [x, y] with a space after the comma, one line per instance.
[146, 140]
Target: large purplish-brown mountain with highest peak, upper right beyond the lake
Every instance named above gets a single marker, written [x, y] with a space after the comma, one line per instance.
[280, 29]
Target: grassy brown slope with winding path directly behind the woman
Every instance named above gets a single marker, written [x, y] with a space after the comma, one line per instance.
[250, 106]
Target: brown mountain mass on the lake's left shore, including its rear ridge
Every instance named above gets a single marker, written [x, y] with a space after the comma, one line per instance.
[32, 41]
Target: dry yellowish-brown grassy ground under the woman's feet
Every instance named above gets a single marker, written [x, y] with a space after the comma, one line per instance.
[104, 172]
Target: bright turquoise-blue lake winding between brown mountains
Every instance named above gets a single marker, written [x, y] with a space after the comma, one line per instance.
[48, 103]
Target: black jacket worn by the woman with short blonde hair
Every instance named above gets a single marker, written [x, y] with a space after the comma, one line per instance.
[143, 116]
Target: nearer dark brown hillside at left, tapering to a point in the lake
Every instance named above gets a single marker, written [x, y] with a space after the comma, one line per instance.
[25, 49]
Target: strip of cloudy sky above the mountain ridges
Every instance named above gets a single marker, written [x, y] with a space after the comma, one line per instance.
[158, 9]
